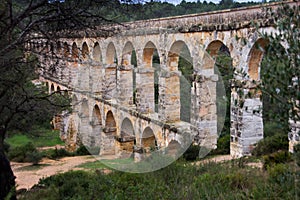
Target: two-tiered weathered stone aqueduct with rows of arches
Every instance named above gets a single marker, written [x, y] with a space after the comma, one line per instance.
[97, 71]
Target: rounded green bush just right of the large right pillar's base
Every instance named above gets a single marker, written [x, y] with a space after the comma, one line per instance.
[271, 144]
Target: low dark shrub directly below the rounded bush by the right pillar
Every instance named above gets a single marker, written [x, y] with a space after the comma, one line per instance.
[276, 158]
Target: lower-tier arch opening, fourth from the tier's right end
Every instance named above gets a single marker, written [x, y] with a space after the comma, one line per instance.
[109, 134]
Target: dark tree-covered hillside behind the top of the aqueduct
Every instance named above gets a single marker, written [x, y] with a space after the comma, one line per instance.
[140, 10]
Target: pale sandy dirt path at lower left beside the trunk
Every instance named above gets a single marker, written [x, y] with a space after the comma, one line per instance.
[29, 175]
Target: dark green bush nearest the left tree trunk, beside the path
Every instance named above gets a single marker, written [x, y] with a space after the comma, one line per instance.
[25, 153]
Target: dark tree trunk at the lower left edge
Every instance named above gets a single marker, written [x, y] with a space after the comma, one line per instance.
[7, 178]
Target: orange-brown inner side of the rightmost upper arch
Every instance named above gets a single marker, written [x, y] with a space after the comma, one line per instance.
[255, 57]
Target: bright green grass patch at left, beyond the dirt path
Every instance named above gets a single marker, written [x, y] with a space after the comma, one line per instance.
[40, 137]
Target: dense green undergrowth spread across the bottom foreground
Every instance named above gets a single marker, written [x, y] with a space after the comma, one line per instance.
[177, 181]
